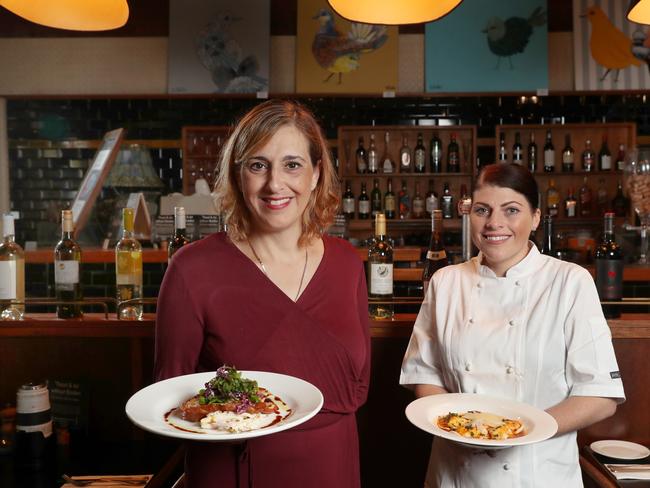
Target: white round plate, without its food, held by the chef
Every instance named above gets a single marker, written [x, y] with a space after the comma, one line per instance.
[424, 413]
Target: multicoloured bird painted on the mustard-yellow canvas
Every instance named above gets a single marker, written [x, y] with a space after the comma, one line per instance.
[339, 53]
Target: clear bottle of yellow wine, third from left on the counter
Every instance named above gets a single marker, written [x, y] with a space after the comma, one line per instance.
[128, 268]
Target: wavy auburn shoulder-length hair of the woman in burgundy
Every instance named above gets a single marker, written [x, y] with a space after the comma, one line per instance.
[252, 131]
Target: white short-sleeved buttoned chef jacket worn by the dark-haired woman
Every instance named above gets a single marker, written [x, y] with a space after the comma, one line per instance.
[537, 335]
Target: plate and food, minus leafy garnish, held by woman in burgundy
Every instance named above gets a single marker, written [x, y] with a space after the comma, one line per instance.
[281, 402]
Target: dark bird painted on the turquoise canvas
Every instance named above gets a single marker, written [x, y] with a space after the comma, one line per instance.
[509, 37]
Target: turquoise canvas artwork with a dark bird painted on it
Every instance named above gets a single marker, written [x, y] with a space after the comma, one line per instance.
[487, 46]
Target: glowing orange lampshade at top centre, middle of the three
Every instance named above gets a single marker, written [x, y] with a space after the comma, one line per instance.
[393, 12]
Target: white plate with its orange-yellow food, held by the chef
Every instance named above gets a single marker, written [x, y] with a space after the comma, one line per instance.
[522, 423]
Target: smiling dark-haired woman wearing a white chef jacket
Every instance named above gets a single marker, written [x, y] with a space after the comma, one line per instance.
[516, 324]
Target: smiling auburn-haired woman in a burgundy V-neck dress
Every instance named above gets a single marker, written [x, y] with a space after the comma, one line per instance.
[273, 294]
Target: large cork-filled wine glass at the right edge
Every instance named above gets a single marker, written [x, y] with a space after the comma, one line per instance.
[637, 183]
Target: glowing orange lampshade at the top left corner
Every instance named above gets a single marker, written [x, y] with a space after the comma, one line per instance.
[83, 15]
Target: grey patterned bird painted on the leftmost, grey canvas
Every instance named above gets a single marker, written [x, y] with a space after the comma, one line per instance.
[230, 69]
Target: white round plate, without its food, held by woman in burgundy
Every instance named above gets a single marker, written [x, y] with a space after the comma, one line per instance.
[147, 408]
